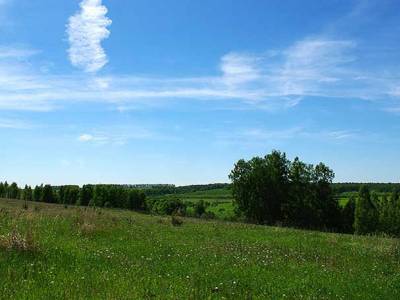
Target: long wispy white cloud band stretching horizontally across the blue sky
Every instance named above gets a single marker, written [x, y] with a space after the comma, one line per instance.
[317, 67]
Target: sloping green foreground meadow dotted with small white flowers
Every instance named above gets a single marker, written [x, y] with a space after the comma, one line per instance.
[53, 252]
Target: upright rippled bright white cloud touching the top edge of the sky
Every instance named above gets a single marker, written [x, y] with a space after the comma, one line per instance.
[86, 30]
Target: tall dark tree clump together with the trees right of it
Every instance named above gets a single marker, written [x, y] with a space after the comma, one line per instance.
[274, 190]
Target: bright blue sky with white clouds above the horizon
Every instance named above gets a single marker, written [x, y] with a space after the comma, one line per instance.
[176, 91]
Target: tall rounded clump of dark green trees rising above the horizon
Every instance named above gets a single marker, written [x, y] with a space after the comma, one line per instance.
[273, 189]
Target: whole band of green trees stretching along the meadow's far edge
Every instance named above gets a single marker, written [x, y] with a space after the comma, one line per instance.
[267, 190]
